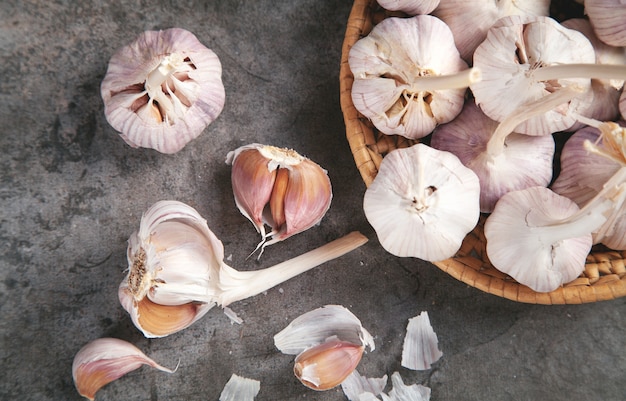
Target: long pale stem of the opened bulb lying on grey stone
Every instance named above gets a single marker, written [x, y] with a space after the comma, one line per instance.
[237, 285]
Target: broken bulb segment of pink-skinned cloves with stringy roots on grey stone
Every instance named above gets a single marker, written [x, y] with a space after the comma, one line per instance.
[280, 188]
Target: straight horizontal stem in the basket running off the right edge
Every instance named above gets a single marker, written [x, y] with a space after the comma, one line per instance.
[591, 71]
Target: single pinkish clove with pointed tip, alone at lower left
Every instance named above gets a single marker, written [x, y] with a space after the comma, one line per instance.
[105, 360]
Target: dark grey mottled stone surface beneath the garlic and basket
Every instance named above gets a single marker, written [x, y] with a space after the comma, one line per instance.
[72, 192]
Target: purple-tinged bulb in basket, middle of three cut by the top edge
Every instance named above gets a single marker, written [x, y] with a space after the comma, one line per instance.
[470, 20]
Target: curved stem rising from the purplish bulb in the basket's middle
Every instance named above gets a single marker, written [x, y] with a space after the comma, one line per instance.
[495, 145]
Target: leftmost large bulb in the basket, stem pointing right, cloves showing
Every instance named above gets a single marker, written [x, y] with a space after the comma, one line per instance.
[408, 76]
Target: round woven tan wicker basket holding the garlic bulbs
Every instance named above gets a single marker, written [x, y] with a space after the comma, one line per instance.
[604, 277]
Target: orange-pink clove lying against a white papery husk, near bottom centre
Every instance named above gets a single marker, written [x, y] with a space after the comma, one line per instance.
[326, 365]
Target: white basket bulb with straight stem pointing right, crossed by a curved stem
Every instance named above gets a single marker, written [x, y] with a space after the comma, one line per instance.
[523, 60]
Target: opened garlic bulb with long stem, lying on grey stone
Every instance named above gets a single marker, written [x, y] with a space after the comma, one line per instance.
[176, 270]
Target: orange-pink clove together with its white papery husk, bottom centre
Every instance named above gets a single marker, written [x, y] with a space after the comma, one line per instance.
[329, 343]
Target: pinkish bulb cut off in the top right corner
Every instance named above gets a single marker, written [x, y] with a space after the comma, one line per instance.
[608, 18]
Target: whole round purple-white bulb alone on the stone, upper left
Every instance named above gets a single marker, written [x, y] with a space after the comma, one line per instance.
[162, 90]
